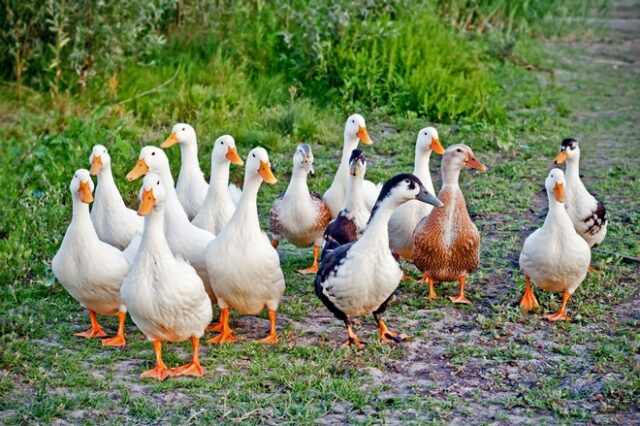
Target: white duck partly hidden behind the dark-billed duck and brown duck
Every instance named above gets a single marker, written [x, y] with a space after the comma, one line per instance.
[406, 217]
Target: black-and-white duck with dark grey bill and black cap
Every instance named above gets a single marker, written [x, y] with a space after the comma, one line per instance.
[360, 277]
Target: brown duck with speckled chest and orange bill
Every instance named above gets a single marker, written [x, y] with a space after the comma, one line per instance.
[446, 243]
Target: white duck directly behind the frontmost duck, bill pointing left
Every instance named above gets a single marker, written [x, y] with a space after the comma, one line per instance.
[185, 239]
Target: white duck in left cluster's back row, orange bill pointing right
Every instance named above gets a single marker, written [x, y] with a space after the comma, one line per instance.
[219, 204]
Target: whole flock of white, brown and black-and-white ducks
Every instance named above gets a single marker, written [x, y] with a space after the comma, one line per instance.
[195, 244]
